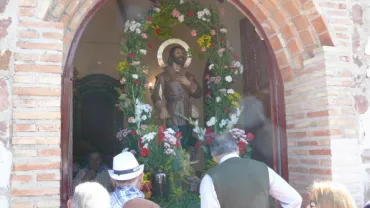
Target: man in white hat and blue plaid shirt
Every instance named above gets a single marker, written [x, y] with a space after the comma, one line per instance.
[128, 176]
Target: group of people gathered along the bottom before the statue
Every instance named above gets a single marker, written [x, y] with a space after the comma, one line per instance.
[250, 186]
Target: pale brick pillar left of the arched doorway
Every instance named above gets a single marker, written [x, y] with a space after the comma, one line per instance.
[35, 180]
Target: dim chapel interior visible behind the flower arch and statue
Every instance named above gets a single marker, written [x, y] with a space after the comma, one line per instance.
[96, 120]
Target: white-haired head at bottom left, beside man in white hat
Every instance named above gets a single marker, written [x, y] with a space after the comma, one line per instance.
[89, 195]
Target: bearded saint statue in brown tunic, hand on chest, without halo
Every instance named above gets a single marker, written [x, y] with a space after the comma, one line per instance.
[172, 92]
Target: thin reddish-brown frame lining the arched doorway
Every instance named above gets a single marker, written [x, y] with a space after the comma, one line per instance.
[276, 89]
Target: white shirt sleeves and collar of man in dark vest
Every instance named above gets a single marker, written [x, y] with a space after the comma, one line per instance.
[279, 189]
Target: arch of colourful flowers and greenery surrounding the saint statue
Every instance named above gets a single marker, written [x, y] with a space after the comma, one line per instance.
[159, 147]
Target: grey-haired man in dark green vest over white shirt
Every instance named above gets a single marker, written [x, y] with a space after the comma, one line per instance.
[242, 183]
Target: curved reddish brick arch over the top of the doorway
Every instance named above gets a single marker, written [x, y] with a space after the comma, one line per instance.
[294, 28]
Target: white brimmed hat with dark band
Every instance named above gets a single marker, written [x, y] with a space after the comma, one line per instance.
[125, 167]
